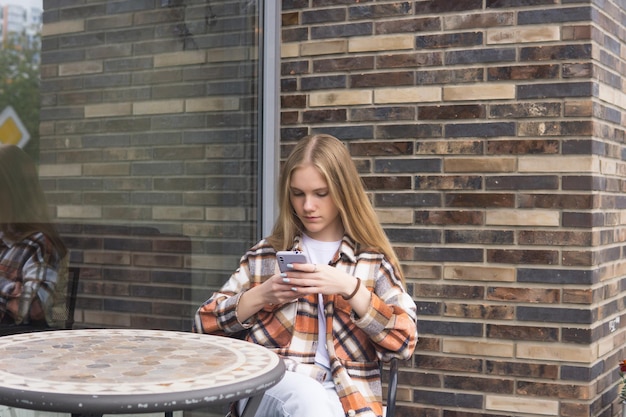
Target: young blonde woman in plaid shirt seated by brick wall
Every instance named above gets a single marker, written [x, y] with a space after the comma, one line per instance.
[333, 318]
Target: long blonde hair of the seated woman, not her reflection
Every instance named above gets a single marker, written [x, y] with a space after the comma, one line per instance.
[333, 161]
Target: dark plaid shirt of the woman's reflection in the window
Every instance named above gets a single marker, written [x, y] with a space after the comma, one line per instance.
[31, 264]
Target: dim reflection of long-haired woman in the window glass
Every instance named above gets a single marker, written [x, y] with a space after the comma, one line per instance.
[31, 251]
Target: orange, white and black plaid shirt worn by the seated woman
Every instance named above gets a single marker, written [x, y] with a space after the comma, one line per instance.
[355, 344]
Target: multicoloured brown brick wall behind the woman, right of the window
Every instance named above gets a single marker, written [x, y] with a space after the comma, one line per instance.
[490, 136]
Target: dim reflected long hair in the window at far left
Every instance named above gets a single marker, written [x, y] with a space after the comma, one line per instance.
[23, 208]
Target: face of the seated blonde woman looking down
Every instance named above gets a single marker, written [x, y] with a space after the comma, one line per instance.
[311, 200]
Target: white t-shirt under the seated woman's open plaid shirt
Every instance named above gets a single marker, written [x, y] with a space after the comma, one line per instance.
[319, 252]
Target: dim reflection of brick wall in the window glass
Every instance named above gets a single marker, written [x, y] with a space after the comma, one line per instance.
[149, 148]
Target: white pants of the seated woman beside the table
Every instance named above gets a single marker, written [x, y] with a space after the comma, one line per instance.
[298, 395]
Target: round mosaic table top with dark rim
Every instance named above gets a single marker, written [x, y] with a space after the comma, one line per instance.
[130, 370]
